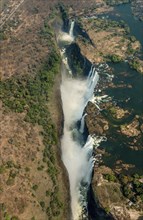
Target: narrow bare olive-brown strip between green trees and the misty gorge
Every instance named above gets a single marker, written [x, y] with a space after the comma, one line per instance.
[56, 112]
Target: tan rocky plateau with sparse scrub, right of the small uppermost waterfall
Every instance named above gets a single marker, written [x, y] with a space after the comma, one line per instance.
[107, 41]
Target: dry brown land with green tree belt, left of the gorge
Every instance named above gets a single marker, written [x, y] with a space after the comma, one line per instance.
[34, 181]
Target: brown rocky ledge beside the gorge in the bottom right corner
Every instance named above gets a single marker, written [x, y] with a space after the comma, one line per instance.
[109, 196]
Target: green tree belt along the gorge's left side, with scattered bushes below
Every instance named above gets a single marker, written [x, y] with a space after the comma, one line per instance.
[30, 94]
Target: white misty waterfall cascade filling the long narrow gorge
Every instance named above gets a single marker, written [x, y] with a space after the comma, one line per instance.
[77, 157]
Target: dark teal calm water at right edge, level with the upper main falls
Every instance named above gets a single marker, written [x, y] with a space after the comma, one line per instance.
[133, 92]
